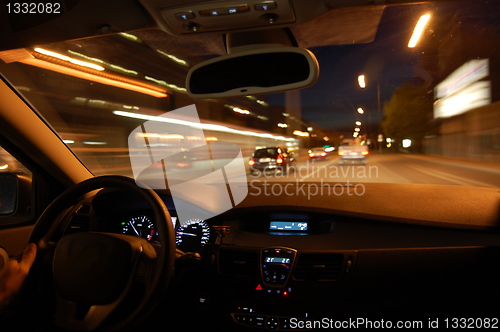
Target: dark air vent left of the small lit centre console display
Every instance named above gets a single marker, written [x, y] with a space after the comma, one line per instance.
[239, 262]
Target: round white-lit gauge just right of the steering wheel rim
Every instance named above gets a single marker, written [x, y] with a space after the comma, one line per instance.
[192, 235]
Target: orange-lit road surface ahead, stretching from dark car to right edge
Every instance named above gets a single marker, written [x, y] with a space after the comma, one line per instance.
[392, 168]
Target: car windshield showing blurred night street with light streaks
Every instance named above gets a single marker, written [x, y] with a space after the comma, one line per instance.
[393, 107]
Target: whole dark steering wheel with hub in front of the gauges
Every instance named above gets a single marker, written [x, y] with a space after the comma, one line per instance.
[96, 274]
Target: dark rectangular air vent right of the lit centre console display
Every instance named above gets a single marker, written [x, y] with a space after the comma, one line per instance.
[318, 266]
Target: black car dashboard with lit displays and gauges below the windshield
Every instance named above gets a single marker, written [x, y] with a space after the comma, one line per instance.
[262, 266]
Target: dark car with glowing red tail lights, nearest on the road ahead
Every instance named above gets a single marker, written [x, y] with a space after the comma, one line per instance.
[272, 159]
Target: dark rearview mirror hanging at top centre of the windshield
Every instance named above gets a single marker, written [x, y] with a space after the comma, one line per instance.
[257, 71]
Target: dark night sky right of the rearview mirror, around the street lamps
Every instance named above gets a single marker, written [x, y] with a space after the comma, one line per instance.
[332, 102]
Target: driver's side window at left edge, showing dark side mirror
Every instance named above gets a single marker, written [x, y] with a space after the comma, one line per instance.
[15, 190]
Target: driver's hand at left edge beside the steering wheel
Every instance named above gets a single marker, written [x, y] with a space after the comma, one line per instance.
[13, 274]
